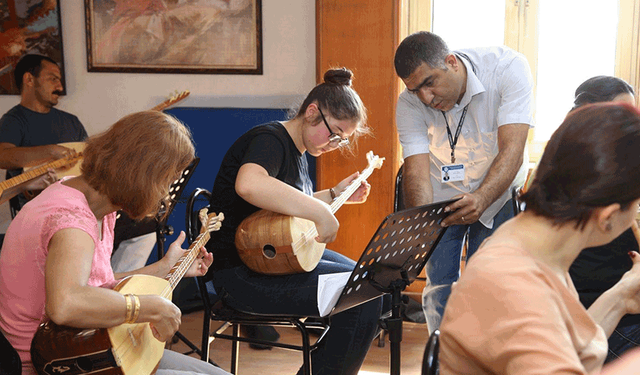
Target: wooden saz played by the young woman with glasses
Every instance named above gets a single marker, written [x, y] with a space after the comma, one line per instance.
[276, 244]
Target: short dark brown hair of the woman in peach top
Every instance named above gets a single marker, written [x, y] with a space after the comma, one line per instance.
[591, 161]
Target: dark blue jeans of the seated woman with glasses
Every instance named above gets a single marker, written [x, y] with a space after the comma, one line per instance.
[351, 332]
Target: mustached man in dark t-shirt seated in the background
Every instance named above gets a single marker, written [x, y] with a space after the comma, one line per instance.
[30, 131]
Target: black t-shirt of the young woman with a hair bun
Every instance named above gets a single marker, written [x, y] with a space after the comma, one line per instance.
[270, 146]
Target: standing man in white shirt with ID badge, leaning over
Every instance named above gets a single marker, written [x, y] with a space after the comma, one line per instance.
[463, 122]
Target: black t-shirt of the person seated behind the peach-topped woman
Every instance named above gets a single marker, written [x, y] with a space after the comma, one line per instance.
[599, 268]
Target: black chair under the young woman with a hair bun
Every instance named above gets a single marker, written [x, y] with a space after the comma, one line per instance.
[215, 308]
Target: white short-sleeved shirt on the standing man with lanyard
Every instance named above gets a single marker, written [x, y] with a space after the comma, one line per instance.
[500, 92]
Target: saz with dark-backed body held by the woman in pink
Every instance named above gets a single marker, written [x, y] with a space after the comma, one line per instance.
[128, 349]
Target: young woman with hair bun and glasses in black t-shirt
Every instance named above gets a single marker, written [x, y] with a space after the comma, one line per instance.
[266, 168]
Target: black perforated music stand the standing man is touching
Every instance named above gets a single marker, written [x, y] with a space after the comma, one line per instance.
[392, 260]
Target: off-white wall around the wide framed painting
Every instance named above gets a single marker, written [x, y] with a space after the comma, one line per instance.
[100, 99]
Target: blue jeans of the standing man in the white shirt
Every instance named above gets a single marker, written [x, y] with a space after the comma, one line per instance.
[443, 267]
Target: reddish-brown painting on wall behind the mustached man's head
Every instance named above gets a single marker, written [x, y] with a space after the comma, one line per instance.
[28, 26]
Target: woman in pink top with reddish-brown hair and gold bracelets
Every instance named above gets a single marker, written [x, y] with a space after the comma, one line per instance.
[55, 263]
